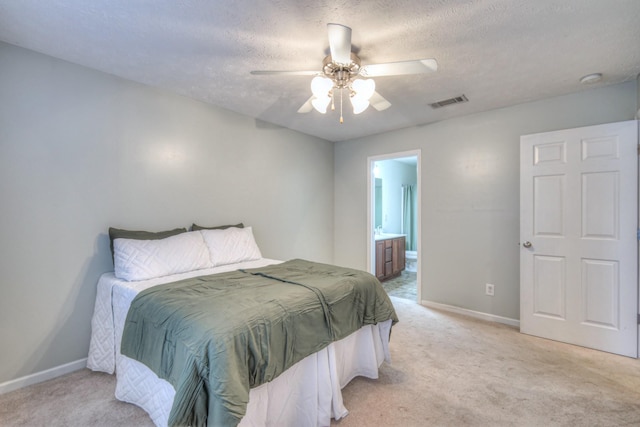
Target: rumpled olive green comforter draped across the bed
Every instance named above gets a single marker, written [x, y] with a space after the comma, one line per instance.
[214, 337]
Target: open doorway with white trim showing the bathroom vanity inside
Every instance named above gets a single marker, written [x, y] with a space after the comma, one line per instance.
[394, 219]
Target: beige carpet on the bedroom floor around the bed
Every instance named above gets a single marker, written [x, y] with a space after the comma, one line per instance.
[447, 370]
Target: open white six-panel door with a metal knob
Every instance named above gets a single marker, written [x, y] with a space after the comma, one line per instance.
[578, 236]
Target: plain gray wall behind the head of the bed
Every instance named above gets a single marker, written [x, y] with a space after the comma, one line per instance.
[81, 151]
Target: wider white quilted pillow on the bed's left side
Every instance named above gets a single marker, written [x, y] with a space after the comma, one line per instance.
[147, 259]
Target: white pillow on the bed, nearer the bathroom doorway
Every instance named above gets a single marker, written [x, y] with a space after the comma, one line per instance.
[231, 245]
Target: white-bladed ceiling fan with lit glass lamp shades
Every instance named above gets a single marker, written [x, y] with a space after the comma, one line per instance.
[342, 71]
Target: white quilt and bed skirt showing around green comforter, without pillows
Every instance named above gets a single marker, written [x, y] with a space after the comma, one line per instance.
[307, 394]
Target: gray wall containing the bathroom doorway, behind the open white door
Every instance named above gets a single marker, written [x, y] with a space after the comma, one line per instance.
[470, 193]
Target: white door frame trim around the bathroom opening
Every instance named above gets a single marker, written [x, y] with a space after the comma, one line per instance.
[371, 247]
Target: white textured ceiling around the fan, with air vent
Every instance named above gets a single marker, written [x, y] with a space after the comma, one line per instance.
[496, 52]
